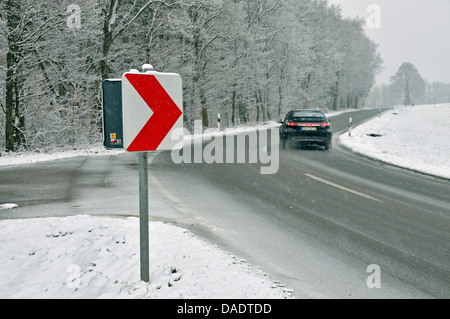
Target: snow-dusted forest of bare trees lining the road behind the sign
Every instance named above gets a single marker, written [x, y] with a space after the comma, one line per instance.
[248, 60]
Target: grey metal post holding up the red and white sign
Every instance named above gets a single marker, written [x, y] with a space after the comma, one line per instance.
[143, 216]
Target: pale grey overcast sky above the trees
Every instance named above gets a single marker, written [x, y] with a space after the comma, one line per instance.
[415, 31]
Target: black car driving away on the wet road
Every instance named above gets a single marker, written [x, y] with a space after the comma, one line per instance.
[306, 127]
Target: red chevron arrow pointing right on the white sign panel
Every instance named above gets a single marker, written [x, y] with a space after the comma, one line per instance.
[165, 112]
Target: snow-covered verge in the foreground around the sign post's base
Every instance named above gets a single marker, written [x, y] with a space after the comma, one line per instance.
[98, 257]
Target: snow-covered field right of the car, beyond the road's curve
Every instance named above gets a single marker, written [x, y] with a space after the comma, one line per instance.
[416, 137]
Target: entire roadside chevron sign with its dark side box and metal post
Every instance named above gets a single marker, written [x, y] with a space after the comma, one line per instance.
[151, 109]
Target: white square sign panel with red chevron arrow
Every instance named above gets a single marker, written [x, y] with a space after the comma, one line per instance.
[152, 108]
